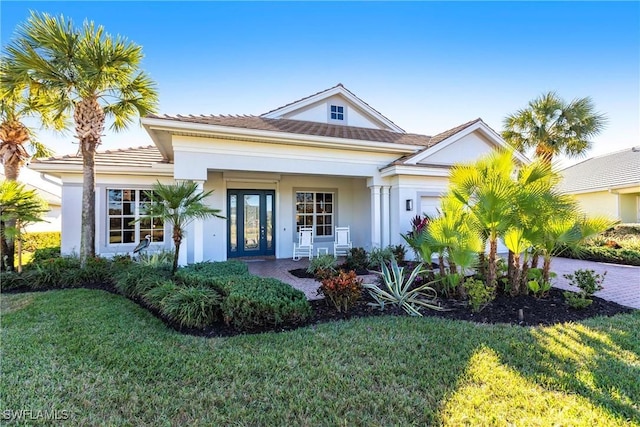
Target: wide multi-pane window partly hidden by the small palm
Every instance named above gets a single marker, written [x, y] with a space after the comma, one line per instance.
[126, 206]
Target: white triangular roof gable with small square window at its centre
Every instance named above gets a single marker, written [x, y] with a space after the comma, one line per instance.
[336, 105]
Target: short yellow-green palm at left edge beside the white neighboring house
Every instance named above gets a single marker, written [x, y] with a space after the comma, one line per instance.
[18, 206]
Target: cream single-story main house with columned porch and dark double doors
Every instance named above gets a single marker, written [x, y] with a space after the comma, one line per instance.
[323, 161]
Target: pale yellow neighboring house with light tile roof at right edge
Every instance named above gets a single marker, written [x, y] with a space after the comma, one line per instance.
[607, 185]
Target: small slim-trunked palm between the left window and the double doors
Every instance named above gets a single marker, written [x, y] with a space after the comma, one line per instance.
[179, 204]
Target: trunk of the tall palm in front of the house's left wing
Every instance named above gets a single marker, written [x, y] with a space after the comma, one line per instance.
[88, 227]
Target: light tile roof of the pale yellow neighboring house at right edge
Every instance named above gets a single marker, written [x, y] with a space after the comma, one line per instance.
[617, 169]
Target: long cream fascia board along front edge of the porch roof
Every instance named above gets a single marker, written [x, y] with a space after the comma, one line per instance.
[278, 137]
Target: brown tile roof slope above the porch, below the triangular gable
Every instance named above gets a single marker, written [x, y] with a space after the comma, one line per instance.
[303, 128]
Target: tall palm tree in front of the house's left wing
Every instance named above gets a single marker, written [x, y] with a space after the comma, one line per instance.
[85, 72]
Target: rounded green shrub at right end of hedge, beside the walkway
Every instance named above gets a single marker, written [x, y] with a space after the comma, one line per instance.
[259, 301]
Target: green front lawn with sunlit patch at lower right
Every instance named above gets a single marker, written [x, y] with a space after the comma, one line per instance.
[109, 362]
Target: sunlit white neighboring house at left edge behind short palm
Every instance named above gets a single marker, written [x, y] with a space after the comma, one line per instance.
[50, 190]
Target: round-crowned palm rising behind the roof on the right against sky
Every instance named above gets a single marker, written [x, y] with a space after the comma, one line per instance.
[553, 127]
